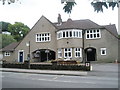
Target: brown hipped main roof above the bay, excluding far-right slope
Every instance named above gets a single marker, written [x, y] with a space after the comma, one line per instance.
[78, 24]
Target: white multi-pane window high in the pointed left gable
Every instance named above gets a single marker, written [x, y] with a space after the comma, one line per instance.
[43, 37]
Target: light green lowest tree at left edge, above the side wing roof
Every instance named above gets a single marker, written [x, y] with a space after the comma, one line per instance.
[6, 40]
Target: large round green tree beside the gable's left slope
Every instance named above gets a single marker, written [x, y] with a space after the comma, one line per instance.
[18, 30]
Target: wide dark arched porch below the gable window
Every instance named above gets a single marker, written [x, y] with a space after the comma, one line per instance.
[42, 55]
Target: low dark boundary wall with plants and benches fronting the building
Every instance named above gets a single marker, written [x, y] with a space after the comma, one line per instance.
[53, 65]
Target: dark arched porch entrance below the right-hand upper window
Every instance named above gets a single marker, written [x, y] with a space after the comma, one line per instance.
[90, 54]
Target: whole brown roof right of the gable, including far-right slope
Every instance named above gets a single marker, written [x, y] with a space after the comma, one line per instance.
[85, 24]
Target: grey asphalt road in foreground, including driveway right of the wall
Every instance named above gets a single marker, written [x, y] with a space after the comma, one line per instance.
[102, 76]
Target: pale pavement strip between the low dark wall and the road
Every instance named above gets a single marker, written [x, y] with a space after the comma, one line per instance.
[53, 72]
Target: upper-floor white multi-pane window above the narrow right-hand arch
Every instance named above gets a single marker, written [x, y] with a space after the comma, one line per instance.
[93, 34]
